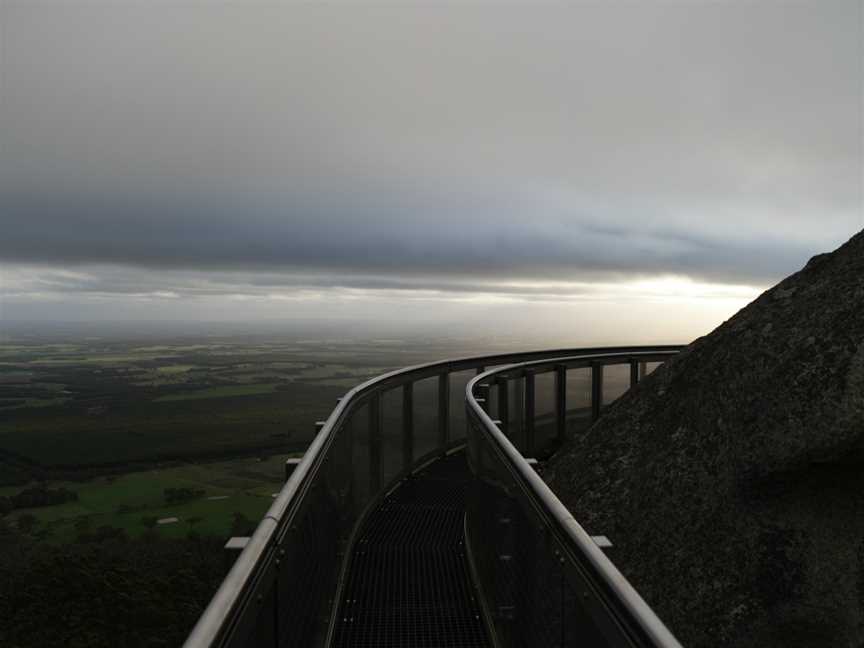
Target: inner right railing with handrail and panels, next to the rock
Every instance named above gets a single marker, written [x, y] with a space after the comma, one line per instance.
[543, 579]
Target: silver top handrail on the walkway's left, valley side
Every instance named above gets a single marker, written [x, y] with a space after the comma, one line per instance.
[221, 616]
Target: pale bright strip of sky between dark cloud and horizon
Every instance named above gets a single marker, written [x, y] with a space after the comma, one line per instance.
[665, 309]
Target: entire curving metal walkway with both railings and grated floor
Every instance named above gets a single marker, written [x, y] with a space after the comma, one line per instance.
[365, 543]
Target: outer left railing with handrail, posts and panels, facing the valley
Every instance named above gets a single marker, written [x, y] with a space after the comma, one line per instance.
[282, 589]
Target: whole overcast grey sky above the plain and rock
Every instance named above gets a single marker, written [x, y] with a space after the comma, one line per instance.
[601, 172]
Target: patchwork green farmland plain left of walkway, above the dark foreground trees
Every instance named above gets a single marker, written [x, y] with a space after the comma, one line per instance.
[121, 422]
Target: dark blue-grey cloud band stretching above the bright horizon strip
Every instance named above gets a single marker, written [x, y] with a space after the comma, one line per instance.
[452, 245]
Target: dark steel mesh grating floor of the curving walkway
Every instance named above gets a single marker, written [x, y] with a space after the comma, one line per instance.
[408, 581]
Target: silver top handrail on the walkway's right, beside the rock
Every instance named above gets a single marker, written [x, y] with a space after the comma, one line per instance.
[628, 609]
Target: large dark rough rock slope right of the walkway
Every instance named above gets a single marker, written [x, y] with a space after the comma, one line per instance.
[731, 480]
